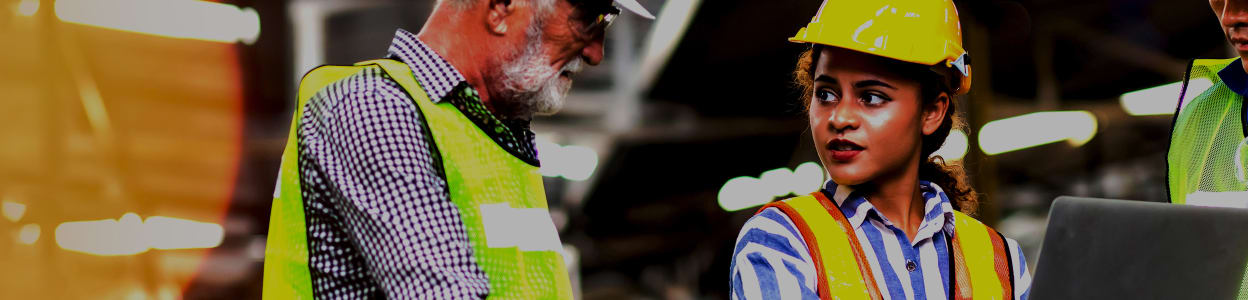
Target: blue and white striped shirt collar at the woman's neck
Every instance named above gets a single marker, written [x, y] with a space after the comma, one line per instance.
[938, 209]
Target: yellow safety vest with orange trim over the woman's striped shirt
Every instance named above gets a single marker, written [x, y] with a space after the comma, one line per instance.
[982, 264]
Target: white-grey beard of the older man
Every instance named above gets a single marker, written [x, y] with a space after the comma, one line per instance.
[534, 84]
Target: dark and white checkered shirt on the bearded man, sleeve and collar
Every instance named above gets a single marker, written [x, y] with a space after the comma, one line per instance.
[380, 219]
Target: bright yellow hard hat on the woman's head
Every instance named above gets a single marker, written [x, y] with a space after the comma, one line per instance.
[922, 32]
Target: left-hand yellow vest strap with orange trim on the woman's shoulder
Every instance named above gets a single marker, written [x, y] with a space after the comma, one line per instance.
[838, 276]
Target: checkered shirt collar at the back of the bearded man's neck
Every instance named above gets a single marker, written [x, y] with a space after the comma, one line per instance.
[437, 77]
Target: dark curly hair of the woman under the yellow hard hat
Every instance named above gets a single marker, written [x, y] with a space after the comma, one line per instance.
[950, 177]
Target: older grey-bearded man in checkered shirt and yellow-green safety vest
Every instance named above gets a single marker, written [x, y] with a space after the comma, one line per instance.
[416, 177]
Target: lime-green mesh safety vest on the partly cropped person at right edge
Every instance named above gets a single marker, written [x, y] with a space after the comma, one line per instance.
[1209, 154]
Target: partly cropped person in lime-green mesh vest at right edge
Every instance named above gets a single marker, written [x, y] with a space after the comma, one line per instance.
[1207, 159]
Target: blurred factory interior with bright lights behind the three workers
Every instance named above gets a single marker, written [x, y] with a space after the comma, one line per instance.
[140, 139]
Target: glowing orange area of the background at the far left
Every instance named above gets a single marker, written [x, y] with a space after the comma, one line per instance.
[97, 123]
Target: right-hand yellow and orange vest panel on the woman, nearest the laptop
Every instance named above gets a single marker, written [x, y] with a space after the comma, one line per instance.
[980, 278]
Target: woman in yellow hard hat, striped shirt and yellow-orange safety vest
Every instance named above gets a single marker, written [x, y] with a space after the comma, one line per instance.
[893, 222]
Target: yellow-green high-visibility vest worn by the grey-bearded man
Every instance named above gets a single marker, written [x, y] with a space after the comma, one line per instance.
[500, 199]
